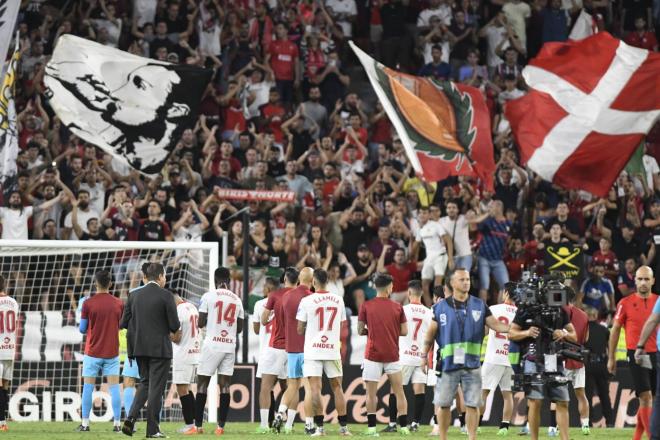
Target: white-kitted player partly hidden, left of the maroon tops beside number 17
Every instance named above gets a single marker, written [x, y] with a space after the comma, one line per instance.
[266, 394]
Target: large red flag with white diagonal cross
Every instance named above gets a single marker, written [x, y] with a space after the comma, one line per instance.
[590, 105]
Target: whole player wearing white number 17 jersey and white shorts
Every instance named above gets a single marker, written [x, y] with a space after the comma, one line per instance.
[320, 318]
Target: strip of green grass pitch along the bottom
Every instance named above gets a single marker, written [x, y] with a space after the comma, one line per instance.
[244, 431]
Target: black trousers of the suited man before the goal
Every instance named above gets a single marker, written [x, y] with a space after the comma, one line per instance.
[153, 379]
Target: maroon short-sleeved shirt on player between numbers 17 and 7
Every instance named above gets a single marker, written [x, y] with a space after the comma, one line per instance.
[383, 318]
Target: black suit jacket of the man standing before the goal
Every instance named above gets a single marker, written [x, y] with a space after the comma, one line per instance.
[150, 316]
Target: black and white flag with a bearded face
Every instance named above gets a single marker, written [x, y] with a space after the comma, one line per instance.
[131, 107]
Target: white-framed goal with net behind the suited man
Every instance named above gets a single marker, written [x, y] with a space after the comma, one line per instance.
[48, 279]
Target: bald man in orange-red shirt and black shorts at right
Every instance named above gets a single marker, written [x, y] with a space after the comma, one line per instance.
[631, 314]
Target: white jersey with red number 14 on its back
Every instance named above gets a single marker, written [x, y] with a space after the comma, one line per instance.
[223, 307]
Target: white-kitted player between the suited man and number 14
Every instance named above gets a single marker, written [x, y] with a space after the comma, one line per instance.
[185, 358]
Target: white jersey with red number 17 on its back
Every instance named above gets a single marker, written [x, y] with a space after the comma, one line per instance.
[324, 314]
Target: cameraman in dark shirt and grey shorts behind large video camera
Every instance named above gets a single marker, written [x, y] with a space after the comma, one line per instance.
[527, 336]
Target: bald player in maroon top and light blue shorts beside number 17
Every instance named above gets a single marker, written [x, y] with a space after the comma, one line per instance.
[295, 346]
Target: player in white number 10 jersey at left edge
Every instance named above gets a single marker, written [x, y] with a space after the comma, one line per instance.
[8, 320]
